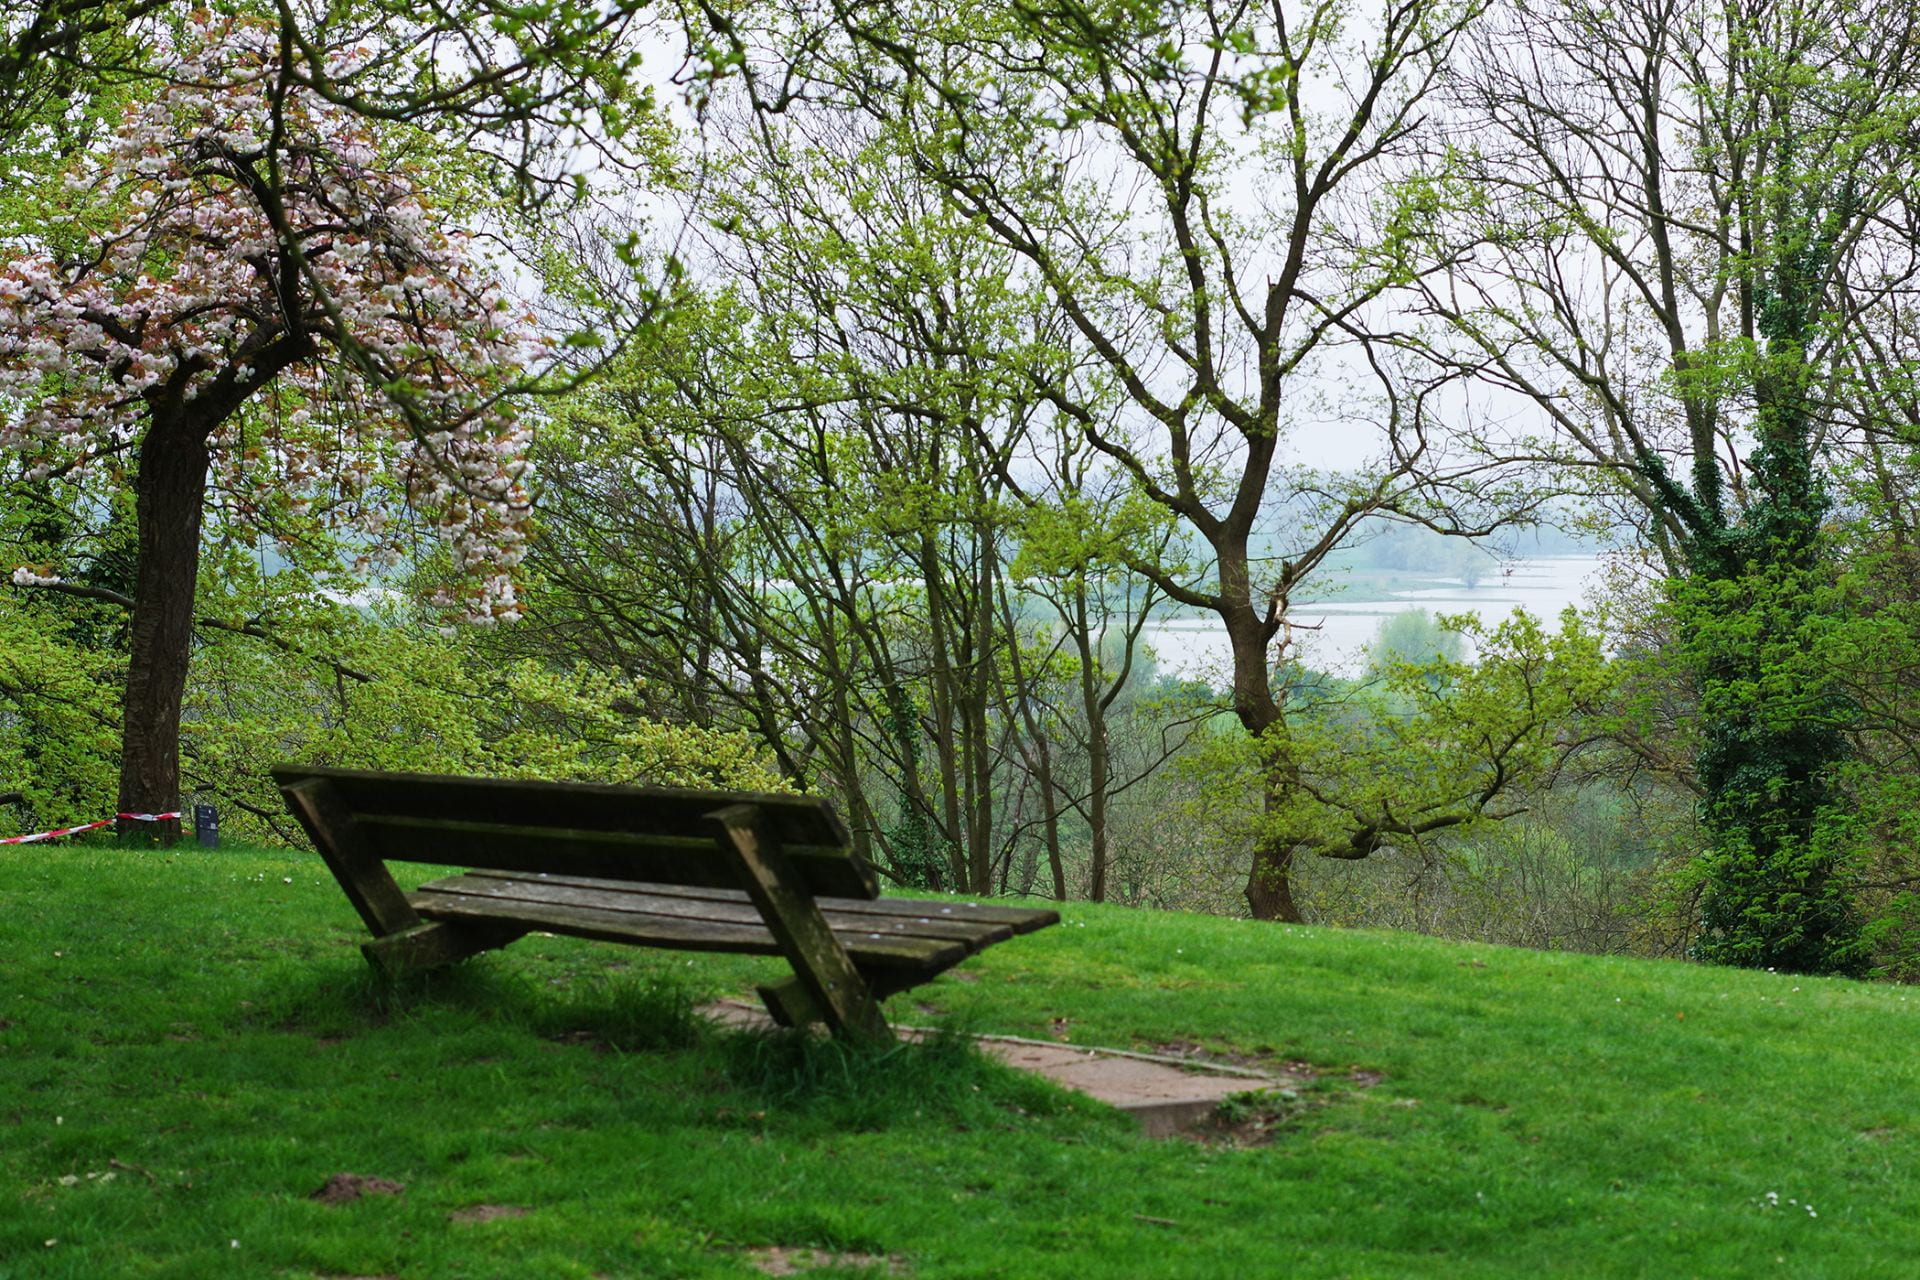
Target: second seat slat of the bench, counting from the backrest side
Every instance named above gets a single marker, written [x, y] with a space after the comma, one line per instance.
[709, 905]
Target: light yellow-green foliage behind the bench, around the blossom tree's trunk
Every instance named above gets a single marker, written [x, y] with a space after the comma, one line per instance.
[304, 678]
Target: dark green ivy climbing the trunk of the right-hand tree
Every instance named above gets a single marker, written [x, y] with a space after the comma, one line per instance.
[1762, 607]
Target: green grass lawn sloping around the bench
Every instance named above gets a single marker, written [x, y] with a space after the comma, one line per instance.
[191, 1047]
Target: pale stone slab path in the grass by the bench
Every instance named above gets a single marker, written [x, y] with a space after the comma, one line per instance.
[1164, 1095]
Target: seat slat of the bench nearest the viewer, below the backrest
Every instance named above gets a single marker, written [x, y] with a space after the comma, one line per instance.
[681, 932]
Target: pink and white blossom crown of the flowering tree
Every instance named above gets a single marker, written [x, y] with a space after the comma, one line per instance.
[193, 293]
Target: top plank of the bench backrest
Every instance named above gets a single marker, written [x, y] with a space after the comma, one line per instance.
[579, 807]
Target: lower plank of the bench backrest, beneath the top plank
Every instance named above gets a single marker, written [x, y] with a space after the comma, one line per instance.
[602, 855]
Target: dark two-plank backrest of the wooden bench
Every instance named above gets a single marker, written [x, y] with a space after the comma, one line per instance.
[627, 834]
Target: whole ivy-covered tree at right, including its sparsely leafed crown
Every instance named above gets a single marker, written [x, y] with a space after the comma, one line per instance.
[1685, 235]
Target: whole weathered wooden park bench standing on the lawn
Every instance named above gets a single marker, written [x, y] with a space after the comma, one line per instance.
[654, 866]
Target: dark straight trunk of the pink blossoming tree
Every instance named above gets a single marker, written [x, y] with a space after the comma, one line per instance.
[170, 494]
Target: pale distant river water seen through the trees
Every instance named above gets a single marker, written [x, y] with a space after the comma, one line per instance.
[1545, 586]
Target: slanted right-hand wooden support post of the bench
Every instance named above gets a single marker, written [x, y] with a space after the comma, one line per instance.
[819, 960]
